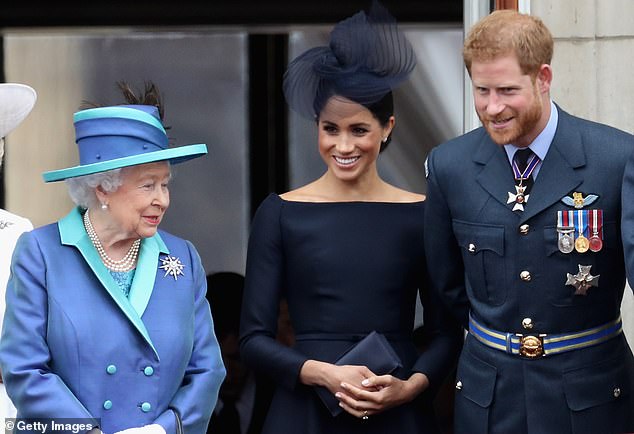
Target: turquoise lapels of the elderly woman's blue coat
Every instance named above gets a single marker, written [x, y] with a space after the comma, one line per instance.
[72, 232]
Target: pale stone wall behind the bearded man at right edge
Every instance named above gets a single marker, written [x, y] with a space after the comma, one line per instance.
[594, 54]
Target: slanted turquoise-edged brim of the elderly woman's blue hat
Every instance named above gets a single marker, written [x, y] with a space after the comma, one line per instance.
[173, 155]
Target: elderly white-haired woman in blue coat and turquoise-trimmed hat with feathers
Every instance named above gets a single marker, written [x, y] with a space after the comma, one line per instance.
[106, 315]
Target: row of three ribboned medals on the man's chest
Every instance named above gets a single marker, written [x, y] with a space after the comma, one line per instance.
[580, 230]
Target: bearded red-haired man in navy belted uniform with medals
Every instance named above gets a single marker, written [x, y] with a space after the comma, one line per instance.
[523, 233]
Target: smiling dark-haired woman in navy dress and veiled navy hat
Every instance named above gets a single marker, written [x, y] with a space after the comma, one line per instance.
[346, 251]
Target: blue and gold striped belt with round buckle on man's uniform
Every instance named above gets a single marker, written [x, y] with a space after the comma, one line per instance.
[532, 346]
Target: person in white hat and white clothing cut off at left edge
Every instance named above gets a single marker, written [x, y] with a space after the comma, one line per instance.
[16, 102]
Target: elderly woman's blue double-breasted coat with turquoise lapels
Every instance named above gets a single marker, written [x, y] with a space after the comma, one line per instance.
[73, 346]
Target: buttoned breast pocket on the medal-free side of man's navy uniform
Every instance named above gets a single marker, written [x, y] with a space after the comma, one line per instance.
[483, 256]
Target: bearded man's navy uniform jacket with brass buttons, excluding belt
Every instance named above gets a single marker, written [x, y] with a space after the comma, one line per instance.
[504, 266]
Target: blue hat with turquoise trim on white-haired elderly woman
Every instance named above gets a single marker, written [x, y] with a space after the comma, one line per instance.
[121, 136]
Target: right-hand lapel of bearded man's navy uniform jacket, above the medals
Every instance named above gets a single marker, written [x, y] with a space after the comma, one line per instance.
[557, 176]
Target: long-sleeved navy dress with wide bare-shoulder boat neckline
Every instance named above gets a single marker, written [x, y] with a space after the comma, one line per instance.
[346, 269]
